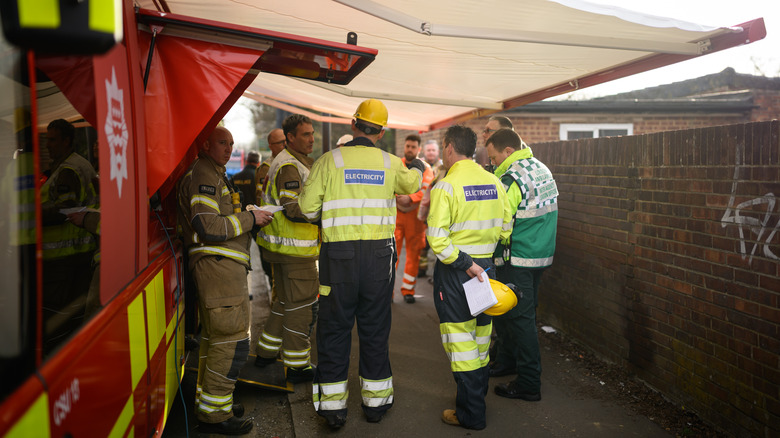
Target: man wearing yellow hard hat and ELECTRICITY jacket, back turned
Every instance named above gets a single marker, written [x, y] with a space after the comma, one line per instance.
[352, 190]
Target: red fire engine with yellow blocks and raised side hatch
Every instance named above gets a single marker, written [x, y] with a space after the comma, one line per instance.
[141, 104]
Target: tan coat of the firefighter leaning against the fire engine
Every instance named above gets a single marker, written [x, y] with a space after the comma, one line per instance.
[208, 224]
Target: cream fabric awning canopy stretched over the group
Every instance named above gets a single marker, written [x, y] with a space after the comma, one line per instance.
[441, 62]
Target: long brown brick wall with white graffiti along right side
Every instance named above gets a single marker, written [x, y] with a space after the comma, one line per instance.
[668, 264]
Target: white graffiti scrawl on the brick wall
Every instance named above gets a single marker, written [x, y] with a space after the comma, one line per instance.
[759, 226]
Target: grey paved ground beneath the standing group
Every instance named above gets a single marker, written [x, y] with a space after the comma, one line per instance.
[424, 387]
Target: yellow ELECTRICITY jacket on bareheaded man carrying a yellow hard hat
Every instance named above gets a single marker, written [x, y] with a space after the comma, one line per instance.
[469, 213]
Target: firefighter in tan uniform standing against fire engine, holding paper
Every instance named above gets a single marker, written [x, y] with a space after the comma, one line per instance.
[216, 234]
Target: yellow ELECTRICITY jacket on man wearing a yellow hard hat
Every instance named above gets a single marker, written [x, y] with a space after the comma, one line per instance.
[352, 189]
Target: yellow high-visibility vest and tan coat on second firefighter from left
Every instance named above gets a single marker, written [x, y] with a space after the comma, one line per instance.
[286, 235]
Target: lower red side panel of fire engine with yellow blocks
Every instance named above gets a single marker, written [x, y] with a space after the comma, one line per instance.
[100, 383]
